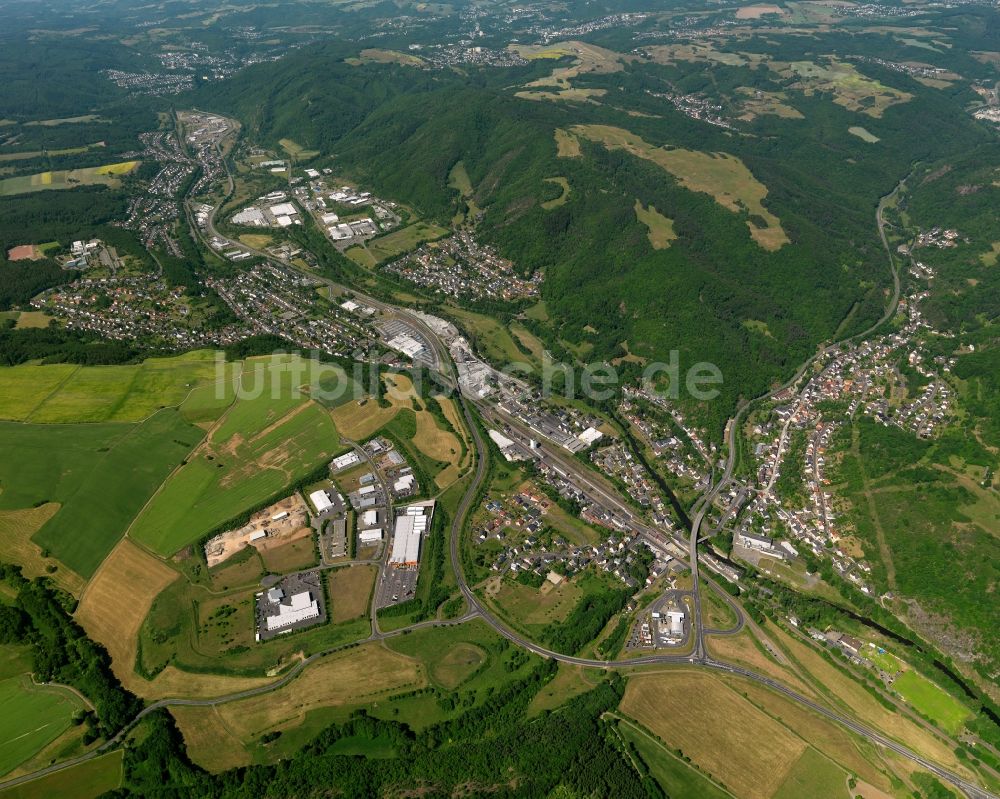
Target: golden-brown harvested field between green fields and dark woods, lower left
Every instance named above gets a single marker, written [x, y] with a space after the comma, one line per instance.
[116, 601]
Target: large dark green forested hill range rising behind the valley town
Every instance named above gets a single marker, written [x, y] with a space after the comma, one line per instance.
[715, 294]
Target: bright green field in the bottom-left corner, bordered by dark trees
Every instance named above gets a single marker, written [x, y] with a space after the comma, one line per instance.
[31, 716]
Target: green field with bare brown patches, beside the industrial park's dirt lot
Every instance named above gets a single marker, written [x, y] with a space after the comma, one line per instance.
[259, 447]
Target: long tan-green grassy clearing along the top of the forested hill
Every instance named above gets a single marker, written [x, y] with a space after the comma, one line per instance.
[723, 176]
